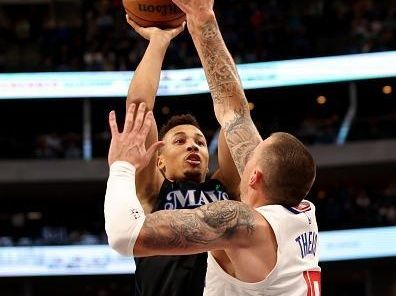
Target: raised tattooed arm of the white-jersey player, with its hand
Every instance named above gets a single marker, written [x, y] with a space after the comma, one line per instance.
[230, 104]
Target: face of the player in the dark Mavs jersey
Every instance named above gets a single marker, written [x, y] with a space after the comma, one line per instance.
[185, 155]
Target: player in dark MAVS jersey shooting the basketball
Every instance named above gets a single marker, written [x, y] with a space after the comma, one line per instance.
[176, 178]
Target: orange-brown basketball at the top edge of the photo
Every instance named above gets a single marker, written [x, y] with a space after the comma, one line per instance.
[154, 13]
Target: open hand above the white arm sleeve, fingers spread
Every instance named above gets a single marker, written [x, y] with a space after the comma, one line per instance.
[129, 145]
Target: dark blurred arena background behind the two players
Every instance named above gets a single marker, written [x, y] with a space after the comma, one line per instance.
[53, 149]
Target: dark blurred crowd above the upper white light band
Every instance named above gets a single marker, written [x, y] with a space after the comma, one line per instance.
[93, 35]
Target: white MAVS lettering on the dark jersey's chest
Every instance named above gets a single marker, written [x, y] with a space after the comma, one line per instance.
[192, 198]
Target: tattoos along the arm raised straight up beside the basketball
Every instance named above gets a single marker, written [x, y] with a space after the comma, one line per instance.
[225, 86]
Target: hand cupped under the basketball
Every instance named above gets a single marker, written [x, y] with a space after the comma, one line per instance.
[154, 32]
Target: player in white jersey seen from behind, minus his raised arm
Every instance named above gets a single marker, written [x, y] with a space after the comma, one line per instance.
[265, 245]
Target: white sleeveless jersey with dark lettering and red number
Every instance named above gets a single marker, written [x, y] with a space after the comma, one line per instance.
[296, 272]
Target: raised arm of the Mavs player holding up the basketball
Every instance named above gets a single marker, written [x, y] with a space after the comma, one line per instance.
[143, 88]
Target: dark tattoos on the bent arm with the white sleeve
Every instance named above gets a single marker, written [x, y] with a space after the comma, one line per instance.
[187, 229]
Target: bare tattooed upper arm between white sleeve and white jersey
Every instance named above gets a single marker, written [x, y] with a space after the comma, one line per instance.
[217, 226]
